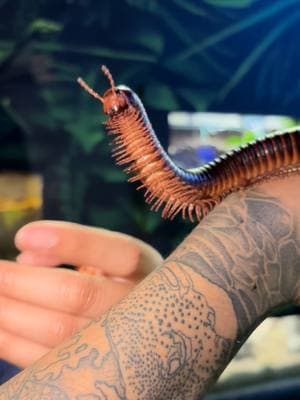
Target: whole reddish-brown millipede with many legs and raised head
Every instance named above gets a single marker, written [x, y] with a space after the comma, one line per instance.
[193, 193]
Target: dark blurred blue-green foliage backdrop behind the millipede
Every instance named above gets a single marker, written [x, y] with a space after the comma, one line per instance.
[222, 55]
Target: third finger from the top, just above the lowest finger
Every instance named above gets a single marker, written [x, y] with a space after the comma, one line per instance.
[43, 326]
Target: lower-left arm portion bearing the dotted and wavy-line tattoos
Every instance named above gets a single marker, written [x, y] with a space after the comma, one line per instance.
[167, 347]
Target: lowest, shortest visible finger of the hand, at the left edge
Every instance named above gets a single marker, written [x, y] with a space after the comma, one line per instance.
[20, 351]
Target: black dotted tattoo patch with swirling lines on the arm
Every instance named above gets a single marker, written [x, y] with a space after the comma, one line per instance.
[171, 347]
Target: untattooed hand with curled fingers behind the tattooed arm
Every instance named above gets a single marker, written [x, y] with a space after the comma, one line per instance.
[40, 305]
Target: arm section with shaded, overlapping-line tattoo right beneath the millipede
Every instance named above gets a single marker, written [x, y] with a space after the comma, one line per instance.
[250, 249]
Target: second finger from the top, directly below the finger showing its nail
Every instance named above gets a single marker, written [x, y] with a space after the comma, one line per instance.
[63, 290]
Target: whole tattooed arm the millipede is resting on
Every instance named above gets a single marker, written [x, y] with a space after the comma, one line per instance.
[172, 335]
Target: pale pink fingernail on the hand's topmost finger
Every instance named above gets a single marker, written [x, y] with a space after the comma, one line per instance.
[35, 238]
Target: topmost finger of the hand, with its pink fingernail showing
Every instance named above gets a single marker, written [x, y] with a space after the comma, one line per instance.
[115, 253]
